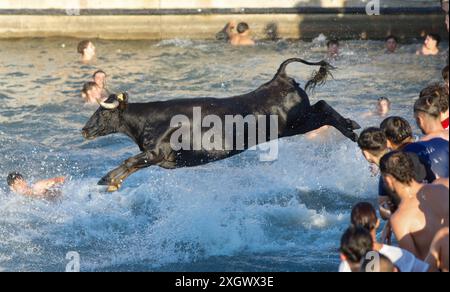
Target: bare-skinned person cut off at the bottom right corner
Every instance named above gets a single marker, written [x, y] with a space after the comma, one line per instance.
[438, 256]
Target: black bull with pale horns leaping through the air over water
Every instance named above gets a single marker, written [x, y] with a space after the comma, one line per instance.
[149, 124]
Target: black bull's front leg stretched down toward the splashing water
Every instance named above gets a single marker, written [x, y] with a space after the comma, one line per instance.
[115, 178]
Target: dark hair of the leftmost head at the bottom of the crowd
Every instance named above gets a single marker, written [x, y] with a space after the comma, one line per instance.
[355, 244]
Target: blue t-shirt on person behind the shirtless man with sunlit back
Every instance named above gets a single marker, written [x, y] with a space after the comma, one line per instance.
[433, 162]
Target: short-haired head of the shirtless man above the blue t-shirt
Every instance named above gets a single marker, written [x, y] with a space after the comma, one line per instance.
[427, 110]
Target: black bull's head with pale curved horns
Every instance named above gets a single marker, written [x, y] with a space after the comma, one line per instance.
[107, 119]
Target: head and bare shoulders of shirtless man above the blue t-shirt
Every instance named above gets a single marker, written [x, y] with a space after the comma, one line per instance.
[427, 111]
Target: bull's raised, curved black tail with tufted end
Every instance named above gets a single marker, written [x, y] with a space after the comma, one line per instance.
[318, 78]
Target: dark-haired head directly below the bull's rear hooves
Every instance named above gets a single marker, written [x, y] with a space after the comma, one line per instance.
[373, 144]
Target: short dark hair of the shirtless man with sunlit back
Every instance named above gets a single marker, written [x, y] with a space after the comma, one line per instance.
[399, 165]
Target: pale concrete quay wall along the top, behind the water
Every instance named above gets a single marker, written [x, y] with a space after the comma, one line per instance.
[141, 19]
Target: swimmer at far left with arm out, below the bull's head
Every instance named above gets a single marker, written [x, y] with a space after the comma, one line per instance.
[45, 189]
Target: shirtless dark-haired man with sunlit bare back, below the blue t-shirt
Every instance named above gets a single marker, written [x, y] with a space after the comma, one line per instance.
[422, 210]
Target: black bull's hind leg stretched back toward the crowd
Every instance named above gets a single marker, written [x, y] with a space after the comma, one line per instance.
[324, 115]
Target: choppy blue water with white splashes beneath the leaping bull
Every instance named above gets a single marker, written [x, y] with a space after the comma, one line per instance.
[235, 215]
